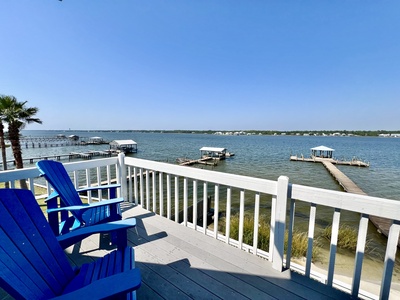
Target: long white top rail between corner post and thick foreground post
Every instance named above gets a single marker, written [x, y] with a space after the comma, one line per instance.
[237, 181]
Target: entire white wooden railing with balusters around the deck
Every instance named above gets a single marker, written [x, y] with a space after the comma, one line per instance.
[221, 205]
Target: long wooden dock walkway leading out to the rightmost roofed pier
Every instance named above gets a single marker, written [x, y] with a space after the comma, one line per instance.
[382, 224]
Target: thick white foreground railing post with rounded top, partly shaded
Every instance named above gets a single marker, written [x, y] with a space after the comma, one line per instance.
[279, 225]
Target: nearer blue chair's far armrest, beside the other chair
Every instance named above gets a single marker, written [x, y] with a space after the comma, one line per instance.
[120, 227]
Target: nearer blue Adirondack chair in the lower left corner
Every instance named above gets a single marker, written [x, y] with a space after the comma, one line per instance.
[34, 266]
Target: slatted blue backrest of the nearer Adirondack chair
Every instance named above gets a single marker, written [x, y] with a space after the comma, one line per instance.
[33, 263]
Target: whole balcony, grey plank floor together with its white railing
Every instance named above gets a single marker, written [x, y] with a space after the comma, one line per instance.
[200, 260]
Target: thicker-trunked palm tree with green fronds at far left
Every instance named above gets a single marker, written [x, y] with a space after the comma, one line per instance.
[17, 115]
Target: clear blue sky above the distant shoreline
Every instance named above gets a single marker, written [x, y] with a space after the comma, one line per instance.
[199, 65]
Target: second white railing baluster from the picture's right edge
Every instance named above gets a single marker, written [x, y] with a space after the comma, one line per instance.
[361, 240]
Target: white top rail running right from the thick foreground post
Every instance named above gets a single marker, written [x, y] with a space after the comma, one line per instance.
[364, 204]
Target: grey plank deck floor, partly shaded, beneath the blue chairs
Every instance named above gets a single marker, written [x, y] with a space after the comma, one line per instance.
[178, 263]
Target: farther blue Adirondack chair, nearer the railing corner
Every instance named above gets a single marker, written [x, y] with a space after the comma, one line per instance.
[82, 214]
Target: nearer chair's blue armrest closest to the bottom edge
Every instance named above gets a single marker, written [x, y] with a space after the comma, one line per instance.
[107, 287]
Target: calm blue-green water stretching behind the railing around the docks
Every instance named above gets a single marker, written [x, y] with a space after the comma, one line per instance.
[262, 156]
